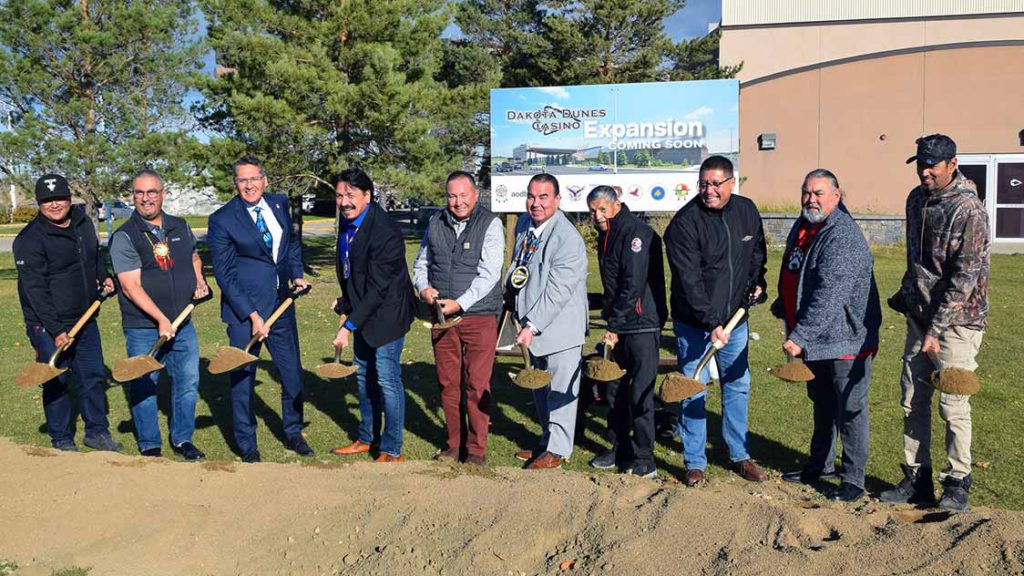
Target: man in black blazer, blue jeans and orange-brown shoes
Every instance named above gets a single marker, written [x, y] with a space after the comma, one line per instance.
[377, 297]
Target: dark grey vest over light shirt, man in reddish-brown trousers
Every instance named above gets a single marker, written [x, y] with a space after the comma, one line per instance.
[454, 262]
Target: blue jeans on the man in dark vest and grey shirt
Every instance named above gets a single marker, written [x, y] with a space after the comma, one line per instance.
[181, 356]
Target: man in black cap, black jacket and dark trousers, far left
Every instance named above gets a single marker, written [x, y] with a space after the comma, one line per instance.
[60, 271]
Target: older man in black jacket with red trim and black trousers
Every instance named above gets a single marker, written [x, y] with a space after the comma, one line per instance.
[629, 255]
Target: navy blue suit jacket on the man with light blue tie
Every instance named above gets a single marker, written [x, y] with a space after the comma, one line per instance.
[245, 270]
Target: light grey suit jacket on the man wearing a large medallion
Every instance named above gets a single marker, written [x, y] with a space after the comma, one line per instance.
[556, 299]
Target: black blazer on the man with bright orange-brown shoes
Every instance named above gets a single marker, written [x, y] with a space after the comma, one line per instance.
[378, 295]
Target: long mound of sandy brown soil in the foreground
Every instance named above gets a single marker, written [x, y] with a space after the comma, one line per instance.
[120, 515]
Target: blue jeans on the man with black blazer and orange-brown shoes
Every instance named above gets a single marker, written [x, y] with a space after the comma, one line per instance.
[381, 393]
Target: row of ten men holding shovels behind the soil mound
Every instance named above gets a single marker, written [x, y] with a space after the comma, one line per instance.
[716, 251]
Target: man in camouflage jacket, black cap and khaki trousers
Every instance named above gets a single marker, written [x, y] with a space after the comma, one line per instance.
[945, 296]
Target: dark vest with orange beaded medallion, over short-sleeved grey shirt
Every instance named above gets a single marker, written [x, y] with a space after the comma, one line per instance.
[170, 291]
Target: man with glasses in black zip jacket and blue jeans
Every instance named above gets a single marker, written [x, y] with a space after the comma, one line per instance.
[716, 250]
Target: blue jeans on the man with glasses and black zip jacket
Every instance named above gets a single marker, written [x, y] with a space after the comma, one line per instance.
[736, 380]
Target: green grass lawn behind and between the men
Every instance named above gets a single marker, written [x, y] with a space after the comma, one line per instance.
[780, 415]
